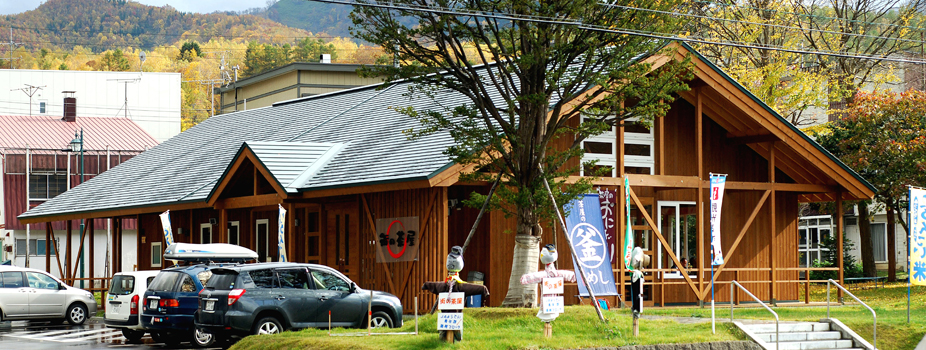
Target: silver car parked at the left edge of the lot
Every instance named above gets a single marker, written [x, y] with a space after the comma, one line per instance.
[30, 294]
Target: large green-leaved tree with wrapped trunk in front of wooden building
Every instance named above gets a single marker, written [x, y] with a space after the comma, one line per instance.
[549, 62]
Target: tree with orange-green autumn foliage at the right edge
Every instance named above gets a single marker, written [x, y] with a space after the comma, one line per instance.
[883, 137]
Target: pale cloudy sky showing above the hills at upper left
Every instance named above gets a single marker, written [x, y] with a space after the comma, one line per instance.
[200, 6]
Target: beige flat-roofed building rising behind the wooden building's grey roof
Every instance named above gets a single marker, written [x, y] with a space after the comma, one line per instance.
[288, 82]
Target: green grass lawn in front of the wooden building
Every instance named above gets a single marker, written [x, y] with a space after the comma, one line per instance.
[579, 327]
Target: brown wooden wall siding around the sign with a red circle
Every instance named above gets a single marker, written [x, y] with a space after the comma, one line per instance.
[408, 277]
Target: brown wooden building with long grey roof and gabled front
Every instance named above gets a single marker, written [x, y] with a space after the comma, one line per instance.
[338, 163]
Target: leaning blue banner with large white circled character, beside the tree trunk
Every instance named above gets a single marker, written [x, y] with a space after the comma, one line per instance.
[590, 244]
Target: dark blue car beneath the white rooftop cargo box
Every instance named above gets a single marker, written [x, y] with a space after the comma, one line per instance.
[170, 302]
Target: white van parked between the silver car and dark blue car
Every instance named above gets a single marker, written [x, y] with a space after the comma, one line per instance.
[124, 302]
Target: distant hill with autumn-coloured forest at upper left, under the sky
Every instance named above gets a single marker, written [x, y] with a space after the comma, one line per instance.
[105, 24]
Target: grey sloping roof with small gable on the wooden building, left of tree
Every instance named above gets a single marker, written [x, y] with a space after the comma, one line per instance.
[371, 148]
